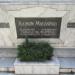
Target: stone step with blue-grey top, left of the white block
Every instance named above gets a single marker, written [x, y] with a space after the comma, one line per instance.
[7, 64]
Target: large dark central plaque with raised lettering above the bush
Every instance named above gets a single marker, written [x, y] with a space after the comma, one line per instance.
[38, 27]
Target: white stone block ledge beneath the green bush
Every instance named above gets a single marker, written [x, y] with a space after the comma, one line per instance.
[48, 67]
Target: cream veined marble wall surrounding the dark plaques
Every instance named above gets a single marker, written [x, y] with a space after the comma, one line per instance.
[8, 36]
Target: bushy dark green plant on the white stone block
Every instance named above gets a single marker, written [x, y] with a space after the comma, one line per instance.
[31, 51]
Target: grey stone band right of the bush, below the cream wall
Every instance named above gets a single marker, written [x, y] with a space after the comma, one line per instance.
[64, 52]
